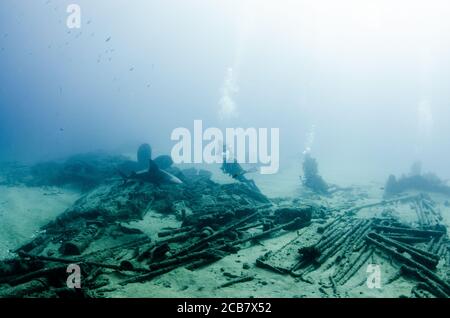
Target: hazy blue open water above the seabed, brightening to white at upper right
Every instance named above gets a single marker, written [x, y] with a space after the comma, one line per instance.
[371, 77]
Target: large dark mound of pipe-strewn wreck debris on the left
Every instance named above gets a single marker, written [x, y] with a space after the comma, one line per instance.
[216, 220]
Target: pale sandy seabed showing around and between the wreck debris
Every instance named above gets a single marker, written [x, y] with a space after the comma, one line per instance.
[23, 211]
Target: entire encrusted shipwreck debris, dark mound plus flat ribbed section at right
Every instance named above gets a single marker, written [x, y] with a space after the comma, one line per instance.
[218, 220]
